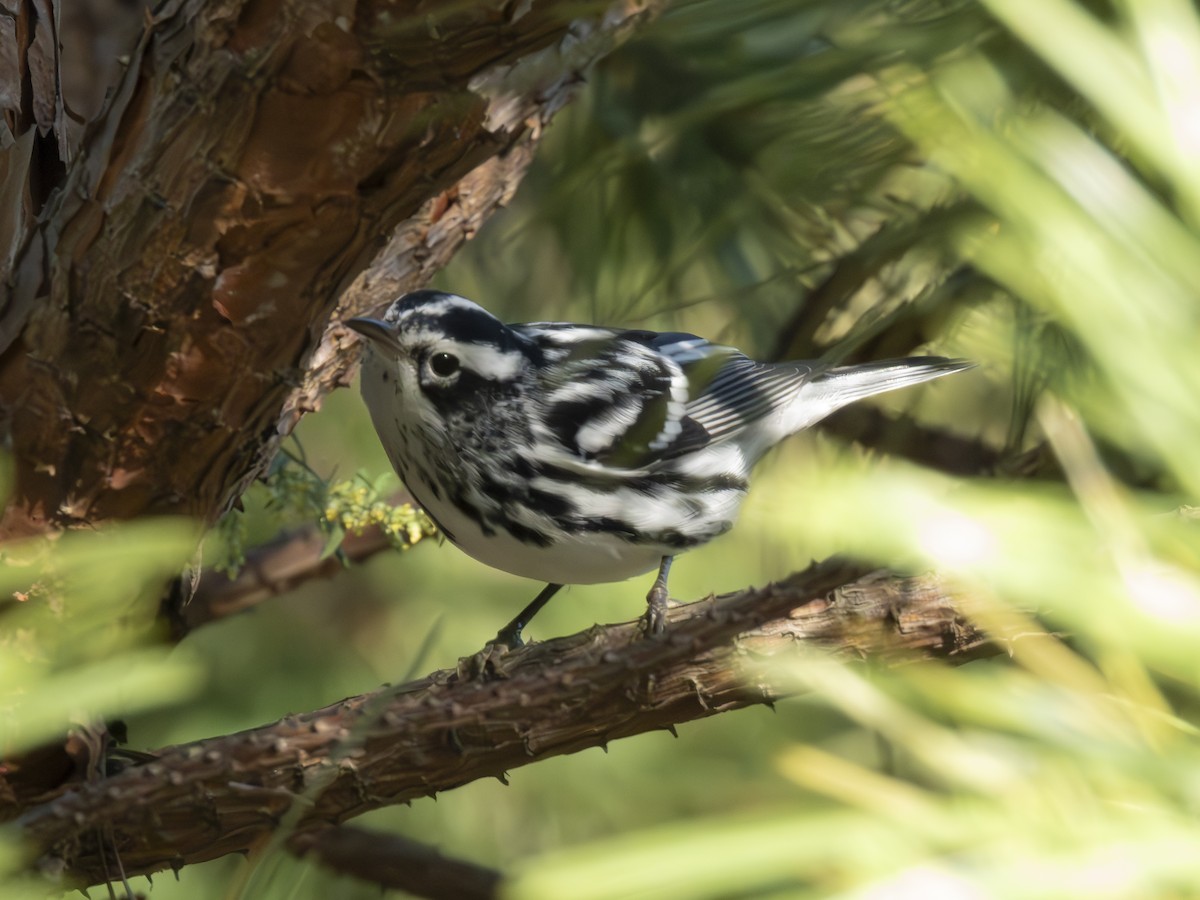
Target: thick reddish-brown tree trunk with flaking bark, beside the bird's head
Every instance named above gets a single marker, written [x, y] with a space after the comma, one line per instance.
[261, 170]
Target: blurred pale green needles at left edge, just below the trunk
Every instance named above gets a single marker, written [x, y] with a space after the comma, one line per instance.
[76, 643]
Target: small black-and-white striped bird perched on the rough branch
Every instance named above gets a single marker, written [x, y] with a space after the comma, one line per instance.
[574, 454]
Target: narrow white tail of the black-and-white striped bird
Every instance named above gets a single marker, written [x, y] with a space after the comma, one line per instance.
[836, 388]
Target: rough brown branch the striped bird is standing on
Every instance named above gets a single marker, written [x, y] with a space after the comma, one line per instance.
[209, 799]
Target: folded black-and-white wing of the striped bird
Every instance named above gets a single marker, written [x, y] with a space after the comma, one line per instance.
[631, 399]
